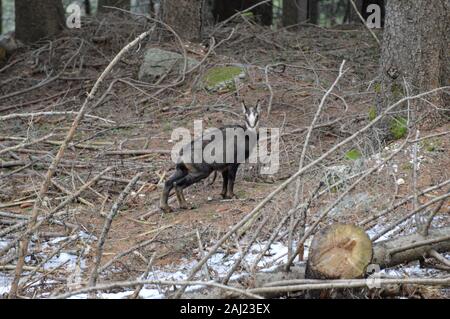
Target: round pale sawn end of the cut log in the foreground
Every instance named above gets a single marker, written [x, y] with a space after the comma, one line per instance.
[339, 251]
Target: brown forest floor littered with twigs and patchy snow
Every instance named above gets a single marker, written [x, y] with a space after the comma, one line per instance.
[140, 116]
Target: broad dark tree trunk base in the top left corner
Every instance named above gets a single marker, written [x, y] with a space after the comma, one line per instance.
[38, 19]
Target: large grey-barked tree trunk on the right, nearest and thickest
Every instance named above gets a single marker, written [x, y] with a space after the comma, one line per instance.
[415, 51]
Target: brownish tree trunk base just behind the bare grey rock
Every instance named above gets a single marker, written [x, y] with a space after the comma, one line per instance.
[185, 17]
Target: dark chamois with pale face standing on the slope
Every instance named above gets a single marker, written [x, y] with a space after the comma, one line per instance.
[239, 146]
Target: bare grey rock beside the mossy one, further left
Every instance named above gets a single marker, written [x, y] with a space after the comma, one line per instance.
[159, 62]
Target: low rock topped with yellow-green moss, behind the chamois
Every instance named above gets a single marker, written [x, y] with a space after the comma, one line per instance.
[222, 77]
